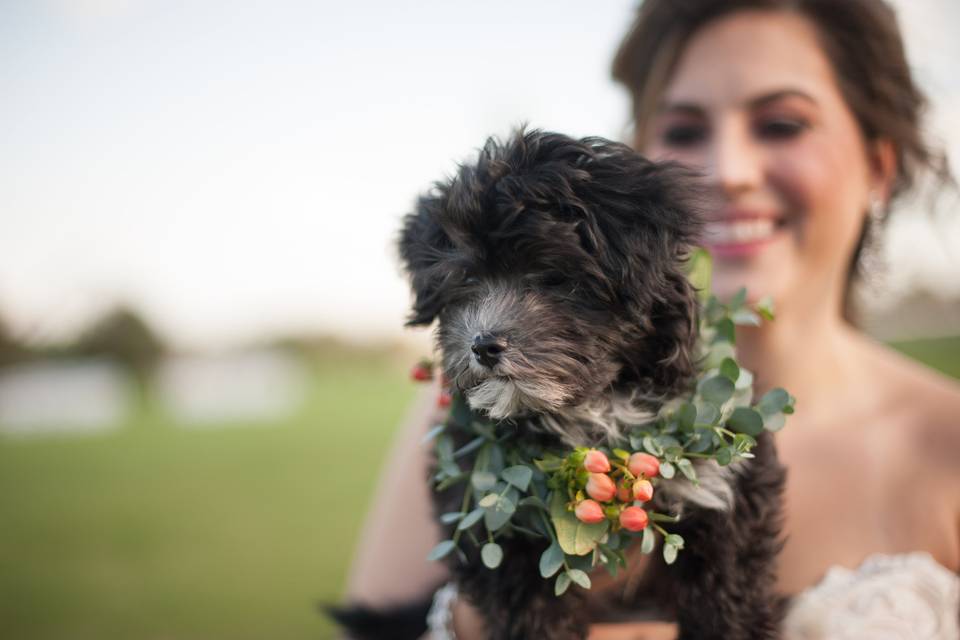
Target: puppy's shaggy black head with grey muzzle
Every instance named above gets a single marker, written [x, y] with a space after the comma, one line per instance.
[555, 269]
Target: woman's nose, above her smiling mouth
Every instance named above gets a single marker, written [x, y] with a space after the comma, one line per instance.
[734, 165]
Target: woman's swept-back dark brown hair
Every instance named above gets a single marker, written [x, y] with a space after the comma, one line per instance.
[861, 39]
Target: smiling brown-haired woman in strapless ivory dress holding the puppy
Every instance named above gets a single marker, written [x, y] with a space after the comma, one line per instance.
[804, 120]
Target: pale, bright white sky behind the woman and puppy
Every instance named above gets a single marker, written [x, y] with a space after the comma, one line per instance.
[237, 169]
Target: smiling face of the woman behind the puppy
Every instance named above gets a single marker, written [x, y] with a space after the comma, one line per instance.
[754, 104]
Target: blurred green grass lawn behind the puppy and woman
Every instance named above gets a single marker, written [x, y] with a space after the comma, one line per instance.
[158, 532]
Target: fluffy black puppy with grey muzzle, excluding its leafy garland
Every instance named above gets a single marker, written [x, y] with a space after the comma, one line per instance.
[555, 268]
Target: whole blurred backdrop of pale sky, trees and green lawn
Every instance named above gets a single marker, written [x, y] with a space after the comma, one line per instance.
[202, 359]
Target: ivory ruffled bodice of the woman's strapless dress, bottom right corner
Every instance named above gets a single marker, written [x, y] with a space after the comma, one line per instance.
[889, 597]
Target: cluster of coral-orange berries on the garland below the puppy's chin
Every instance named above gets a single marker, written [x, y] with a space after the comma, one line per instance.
[621, 486]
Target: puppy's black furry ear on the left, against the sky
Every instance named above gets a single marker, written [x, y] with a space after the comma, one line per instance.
[424, 245]
